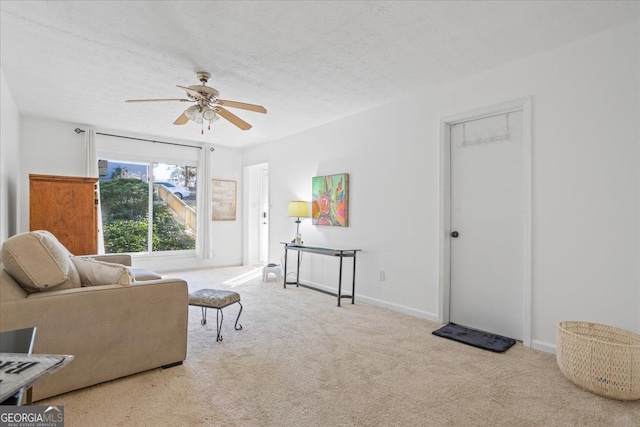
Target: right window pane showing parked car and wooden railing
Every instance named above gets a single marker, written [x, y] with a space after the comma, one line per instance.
[174, 207]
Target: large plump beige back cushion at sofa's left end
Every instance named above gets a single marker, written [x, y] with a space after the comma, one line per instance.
[39, 262]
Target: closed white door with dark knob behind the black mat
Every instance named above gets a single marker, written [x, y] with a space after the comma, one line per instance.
[487, 258]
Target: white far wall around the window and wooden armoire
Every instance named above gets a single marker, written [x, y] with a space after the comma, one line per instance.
[53, 148]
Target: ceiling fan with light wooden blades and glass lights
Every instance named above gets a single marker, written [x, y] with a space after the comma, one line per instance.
[208, 106]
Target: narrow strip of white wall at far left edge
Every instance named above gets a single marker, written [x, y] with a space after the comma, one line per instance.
[9, 161]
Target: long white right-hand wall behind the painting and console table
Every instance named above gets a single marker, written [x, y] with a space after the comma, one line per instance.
[586, 185]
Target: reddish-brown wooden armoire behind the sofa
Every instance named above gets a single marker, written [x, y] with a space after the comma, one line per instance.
[66, 206]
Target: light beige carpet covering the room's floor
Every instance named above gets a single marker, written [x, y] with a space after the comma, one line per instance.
[302, 361]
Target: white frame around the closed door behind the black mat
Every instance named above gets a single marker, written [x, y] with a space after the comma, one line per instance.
[523, 104]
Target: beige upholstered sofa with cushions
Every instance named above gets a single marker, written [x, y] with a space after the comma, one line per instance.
[112, 330]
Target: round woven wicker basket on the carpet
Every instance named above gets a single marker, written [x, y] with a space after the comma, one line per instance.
[602, 359]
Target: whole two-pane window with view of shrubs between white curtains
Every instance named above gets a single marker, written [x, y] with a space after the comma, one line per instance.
[133, 192]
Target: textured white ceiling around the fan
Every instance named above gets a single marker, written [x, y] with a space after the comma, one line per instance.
[307, 62]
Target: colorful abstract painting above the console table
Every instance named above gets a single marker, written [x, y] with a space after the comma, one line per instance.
[330, 201]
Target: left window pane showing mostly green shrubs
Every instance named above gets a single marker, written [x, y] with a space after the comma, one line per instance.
[124, 196]
